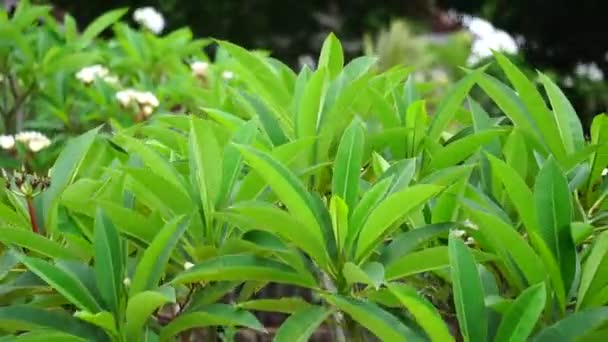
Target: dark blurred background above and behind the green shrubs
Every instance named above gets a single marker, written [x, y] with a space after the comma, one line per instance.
[554, 36]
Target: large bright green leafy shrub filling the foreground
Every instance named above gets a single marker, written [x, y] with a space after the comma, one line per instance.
[406, 222]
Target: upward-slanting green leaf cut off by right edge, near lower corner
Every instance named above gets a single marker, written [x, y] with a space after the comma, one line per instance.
[594, 277]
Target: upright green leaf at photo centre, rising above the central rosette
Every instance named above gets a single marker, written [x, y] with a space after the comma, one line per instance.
[347, 165]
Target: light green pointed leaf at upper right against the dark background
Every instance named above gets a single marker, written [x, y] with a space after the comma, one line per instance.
[569, 125]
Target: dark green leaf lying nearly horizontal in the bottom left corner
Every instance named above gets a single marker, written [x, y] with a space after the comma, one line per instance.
[26, 317]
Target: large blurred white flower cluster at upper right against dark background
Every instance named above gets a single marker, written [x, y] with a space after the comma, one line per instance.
[487, 38]
